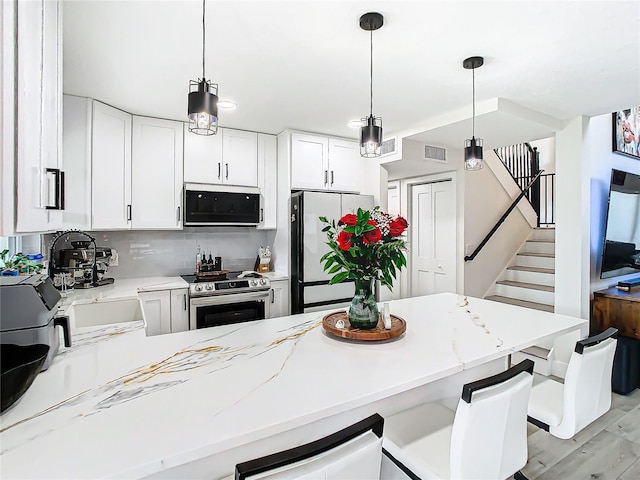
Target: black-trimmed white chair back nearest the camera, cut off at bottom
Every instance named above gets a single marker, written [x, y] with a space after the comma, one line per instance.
[354, 452]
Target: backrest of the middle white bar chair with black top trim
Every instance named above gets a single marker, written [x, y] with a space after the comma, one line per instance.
[489, 436]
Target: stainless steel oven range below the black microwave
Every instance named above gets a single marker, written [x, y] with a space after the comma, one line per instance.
[241, 297]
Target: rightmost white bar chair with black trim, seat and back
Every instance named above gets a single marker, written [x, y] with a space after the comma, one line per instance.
[565, 409]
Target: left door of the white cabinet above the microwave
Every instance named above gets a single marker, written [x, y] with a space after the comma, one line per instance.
[202, 157]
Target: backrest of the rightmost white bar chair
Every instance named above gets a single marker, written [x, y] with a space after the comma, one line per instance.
[587, 384]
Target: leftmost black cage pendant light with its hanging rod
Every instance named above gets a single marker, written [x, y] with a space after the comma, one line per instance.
[203, 99]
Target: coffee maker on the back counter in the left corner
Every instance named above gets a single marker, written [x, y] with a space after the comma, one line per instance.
[83, 264]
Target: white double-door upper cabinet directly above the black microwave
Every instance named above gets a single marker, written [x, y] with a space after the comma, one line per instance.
[230, 158]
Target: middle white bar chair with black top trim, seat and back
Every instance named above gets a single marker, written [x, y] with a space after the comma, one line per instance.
[485, 438]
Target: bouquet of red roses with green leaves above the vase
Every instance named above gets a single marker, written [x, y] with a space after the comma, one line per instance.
[366, 245]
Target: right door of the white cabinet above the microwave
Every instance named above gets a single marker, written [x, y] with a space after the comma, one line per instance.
[240, 157]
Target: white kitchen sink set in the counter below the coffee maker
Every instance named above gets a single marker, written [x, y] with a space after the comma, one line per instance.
[104, 312]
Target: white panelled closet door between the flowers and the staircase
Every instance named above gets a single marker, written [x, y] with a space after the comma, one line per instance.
[433, 238]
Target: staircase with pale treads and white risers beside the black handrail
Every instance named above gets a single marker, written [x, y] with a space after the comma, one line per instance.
[529, 282]
